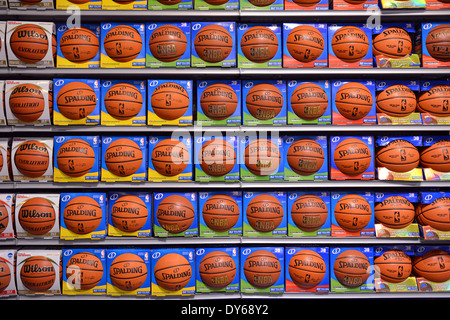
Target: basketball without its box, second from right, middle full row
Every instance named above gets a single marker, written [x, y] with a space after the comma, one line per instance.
[398, 156]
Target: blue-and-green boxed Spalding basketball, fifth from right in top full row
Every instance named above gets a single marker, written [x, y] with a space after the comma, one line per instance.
[260, 45]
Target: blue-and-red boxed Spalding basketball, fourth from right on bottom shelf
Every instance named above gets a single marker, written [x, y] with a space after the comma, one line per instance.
[307, 269]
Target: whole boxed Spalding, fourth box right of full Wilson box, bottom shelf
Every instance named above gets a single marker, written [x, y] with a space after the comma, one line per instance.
[217, 269]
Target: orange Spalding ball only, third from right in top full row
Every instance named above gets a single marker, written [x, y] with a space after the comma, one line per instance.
[350, 44]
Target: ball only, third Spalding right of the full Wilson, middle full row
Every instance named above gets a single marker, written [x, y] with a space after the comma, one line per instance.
[170, 157]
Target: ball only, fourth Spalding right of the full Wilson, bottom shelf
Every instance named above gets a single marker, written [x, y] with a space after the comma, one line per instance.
[217, 270]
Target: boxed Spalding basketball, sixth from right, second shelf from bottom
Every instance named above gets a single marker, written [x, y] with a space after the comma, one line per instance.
[220, 213]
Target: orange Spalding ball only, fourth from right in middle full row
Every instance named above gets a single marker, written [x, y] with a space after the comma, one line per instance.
[305, 156]
